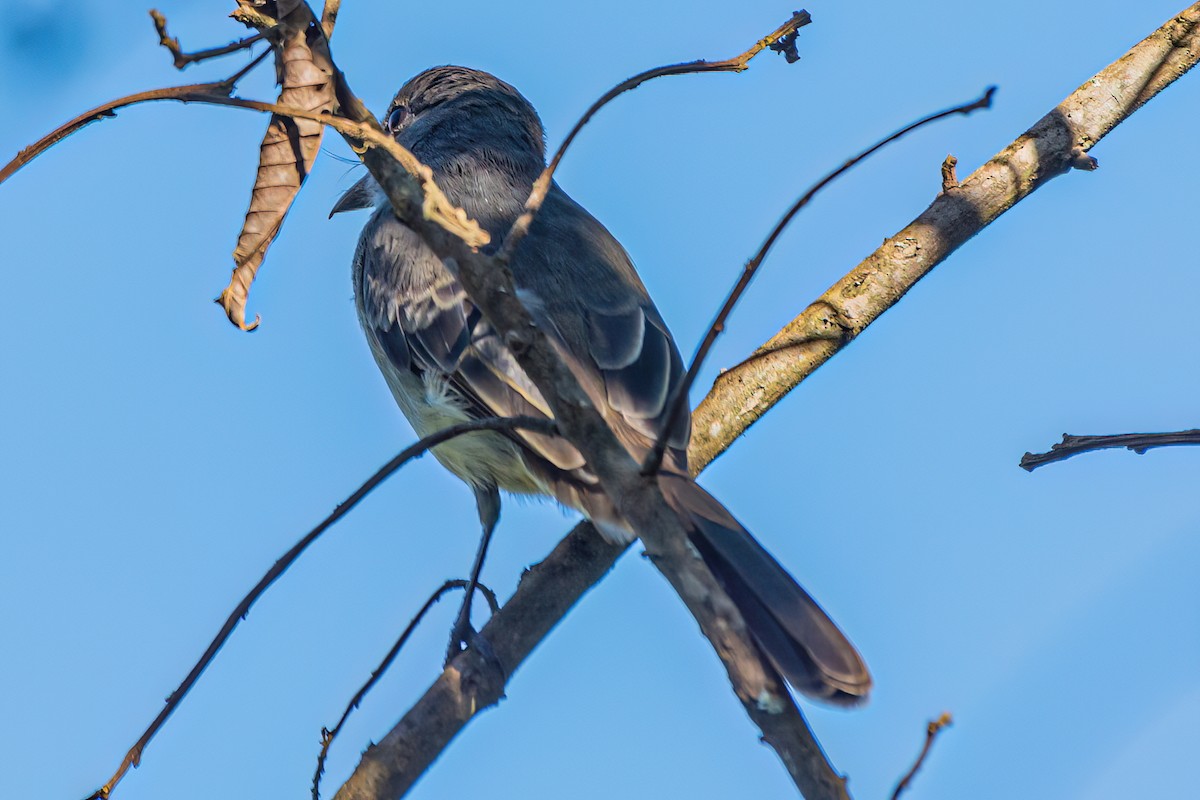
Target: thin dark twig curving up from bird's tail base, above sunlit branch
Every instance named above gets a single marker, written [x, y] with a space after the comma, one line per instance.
[680, 400]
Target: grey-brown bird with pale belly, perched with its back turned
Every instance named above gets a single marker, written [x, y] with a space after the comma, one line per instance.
[446, 364]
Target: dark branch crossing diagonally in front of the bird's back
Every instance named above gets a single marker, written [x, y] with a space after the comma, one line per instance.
[639, 501]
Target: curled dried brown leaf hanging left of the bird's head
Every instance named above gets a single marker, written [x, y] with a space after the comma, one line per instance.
[290, 146]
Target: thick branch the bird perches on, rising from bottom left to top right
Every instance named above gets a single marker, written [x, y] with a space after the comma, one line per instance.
[550, 590]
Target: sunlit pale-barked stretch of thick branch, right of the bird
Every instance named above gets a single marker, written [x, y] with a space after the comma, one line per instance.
[1047, 151]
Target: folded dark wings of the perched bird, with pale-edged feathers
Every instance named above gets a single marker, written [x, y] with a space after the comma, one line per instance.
[580, 287]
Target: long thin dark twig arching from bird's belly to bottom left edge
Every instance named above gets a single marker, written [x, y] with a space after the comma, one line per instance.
[493, 424]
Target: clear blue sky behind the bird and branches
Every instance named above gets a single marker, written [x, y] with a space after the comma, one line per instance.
[154, 461]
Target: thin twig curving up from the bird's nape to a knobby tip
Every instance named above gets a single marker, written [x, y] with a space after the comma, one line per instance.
[782, 40]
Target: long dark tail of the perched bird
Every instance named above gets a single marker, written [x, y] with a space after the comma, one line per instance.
[793, 631]
